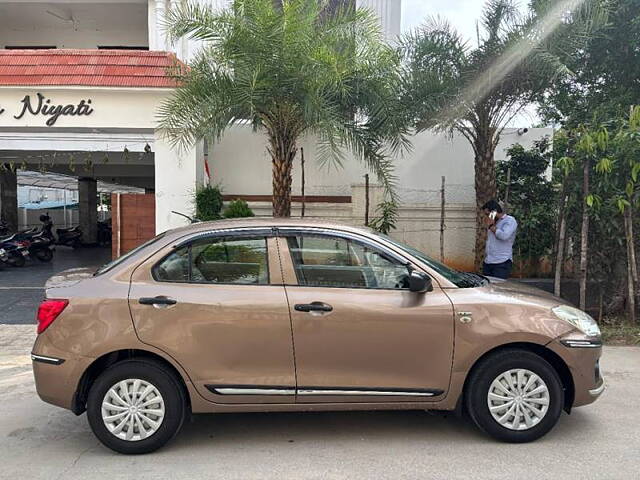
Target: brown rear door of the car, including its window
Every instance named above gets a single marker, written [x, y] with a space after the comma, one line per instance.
[216, 304]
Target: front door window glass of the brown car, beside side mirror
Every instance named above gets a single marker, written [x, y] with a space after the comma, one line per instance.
[324, 261]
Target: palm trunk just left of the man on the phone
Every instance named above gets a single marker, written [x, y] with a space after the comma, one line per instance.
[485, 183]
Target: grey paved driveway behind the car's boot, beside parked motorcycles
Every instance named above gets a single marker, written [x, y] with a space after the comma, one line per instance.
[21, 289]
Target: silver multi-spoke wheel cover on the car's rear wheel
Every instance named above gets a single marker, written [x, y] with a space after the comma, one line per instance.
[133, 409]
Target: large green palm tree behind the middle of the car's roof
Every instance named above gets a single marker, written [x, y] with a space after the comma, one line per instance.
[290, 68]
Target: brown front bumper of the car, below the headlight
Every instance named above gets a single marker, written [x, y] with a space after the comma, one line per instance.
[582, 355]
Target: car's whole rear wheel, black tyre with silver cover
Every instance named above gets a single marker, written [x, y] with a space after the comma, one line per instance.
[171, 403]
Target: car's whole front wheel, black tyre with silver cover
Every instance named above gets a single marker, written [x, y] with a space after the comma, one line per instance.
[533, 420]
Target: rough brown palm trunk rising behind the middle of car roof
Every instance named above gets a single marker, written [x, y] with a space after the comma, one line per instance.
[282, 148]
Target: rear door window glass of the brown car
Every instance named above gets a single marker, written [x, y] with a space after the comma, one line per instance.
[225, 260]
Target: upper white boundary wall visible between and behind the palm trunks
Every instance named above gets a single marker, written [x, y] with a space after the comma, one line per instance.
[240, 163]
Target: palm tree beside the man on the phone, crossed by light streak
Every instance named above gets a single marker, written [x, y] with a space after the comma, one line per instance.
[478, 91]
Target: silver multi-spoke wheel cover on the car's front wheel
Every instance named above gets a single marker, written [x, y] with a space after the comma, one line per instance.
[518, 399]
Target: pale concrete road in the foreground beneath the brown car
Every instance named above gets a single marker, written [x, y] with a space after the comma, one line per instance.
[41, 441]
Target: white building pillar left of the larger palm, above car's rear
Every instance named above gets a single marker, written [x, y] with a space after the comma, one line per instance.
[178, 175]
